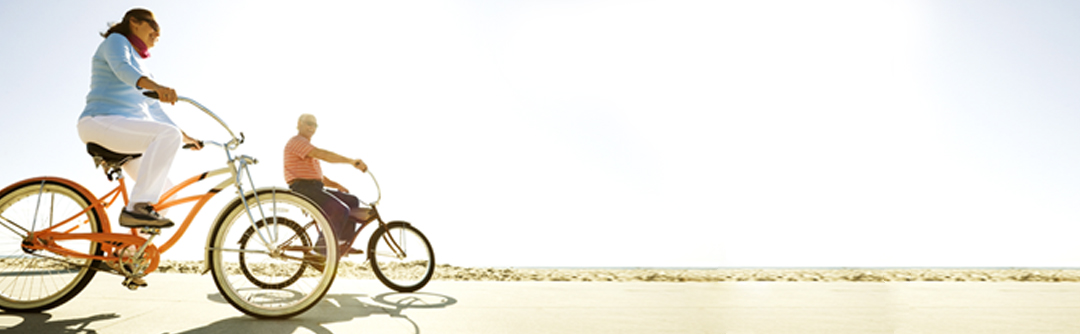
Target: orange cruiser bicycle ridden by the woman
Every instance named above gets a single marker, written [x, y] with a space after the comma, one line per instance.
[57, 236]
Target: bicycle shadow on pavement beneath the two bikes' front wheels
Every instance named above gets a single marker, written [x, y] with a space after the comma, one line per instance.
[334, 309]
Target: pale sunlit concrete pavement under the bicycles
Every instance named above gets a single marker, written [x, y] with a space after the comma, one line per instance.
[191, 304]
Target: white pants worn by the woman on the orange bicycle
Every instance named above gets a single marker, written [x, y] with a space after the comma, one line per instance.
[158, 143]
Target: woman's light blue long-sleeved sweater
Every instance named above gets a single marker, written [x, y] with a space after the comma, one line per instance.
[115, 71]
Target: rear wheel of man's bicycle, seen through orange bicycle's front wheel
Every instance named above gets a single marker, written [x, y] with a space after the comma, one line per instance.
[261, 279]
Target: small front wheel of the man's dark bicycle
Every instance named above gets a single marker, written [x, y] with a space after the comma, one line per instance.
[401, 257]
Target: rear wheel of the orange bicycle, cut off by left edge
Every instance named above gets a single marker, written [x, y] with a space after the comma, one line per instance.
[37, 280]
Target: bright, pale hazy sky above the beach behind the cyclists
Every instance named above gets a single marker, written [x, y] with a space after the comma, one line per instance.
[672, 133]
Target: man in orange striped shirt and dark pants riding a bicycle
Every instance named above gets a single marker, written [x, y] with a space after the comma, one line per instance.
[305, 176]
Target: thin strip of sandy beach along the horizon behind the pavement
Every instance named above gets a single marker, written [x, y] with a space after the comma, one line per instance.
[450, 273]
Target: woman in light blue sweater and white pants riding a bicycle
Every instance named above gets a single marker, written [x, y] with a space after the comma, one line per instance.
[121, 119]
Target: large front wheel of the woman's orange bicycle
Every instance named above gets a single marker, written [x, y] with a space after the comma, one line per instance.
[264, 269]
